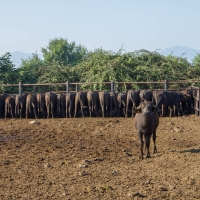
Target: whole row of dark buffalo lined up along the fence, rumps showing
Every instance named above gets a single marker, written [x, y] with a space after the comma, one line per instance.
[92, 103]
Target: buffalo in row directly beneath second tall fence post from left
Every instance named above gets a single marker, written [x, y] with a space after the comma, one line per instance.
[70, 103]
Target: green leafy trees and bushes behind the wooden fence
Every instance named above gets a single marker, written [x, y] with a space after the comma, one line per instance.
[66, 61]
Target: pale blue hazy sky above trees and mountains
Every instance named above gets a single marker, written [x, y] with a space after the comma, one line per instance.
[28, 25]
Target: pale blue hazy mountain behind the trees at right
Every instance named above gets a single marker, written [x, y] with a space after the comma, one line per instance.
[184, 52]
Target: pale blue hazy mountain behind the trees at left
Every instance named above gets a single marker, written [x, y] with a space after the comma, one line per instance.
[16, 57]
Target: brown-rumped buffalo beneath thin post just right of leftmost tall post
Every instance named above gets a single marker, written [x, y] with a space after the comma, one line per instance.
[31, 106]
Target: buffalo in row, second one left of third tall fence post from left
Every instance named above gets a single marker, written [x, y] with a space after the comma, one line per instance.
[93, 102]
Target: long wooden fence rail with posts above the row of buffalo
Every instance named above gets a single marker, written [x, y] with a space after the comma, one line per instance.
[112, 84]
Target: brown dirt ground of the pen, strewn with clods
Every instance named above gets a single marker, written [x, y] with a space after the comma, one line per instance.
[98, 159]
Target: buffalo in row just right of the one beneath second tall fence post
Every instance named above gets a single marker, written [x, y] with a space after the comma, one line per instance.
[80, 99]
